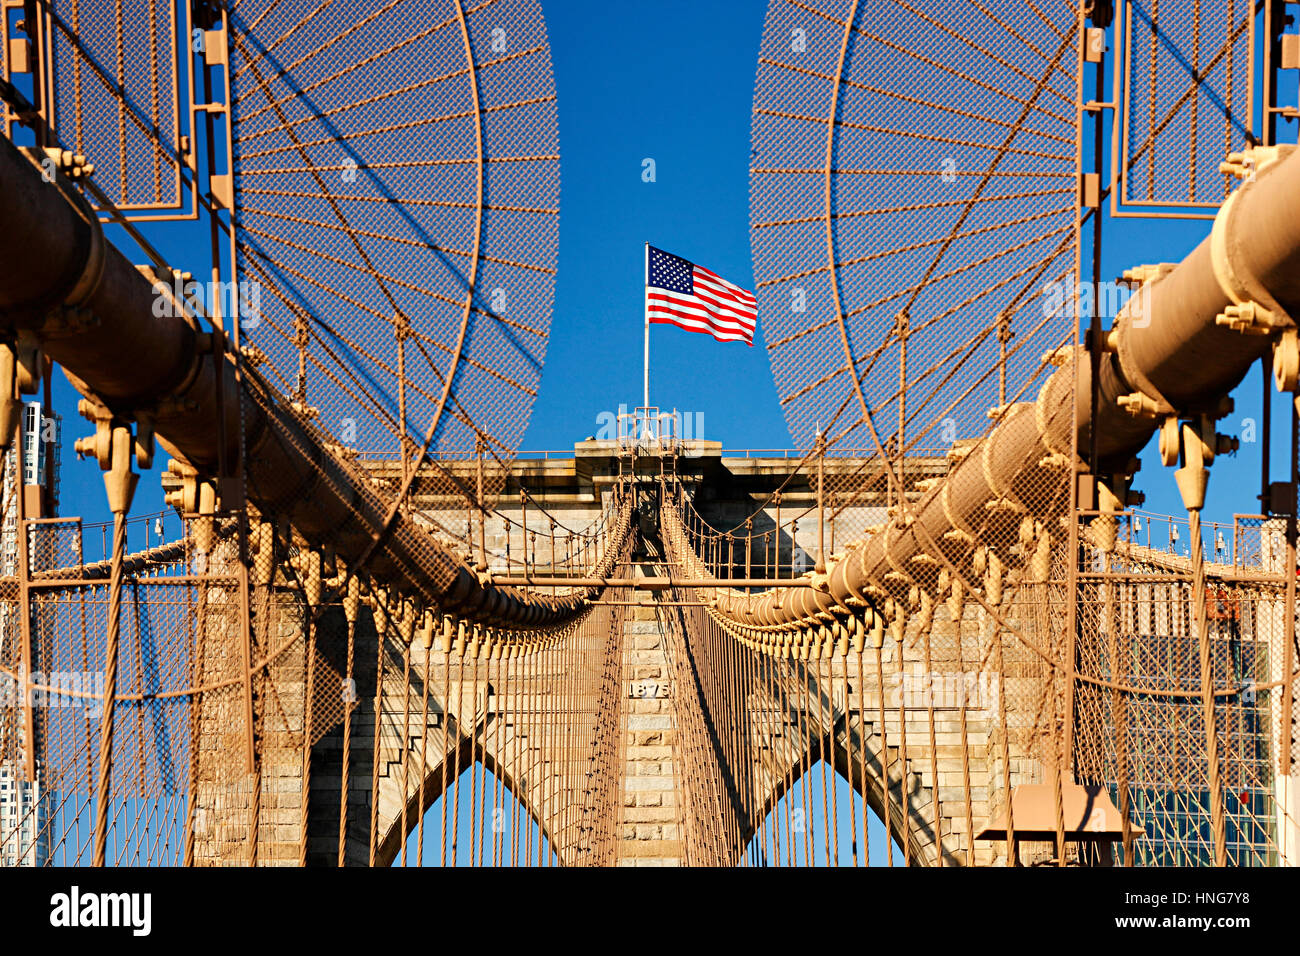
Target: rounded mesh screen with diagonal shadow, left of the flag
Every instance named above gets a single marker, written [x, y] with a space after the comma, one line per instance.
[397, 183]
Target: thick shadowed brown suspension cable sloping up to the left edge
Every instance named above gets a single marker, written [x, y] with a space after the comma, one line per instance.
[64, 285]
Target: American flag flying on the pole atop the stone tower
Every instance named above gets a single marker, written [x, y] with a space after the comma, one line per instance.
[694, 299]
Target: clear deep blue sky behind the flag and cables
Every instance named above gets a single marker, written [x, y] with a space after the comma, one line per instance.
[673, 83]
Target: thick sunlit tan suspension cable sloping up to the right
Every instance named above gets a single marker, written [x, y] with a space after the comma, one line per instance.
[1175, 354]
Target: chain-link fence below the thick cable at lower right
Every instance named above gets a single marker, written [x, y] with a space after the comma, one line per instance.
[1143, 728]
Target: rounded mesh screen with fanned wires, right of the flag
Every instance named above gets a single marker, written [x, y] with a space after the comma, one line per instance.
[913, 191]
